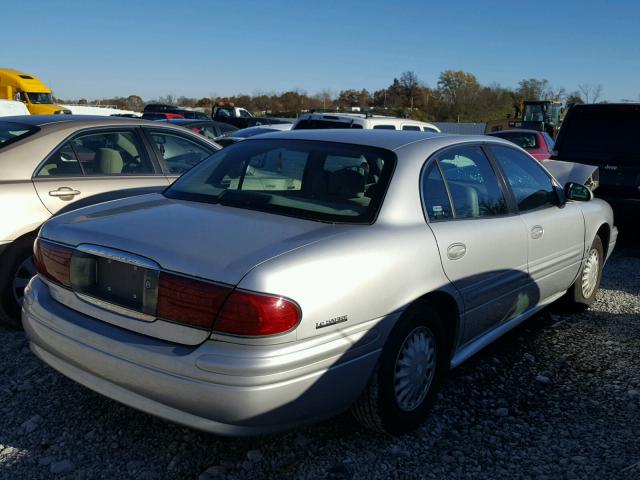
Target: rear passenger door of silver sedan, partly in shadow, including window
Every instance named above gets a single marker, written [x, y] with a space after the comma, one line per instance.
[482, 244]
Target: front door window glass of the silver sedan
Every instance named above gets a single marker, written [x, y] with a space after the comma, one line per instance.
[530, 184]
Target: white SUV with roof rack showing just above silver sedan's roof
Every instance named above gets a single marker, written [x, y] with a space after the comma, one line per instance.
[310, 121]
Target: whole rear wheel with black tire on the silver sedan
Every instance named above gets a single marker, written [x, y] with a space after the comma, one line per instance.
[384, 406]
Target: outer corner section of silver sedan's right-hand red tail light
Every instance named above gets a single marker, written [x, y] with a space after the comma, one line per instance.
[246, 313]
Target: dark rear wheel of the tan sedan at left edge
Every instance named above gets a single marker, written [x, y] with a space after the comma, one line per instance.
[19, 261]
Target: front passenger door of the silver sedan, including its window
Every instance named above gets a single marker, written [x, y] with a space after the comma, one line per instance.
[555, 232]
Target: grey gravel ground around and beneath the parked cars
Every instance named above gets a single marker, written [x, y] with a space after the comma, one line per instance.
[557, 398]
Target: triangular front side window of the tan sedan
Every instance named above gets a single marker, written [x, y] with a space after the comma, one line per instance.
[177, 153]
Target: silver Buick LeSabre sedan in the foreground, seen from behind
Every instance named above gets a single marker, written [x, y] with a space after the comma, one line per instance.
[299, 274]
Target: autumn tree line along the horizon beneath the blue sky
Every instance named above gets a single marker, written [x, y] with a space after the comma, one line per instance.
[458, 96]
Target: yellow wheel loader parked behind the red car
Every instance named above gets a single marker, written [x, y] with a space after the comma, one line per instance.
[541, 115]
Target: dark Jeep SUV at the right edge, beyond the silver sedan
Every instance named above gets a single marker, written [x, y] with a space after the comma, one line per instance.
[605, 135]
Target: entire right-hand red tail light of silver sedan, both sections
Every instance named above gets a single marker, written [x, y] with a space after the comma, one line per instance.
[204, 305]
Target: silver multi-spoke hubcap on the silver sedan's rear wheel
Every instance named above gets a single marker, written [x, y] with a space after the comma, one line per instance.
[415, 368]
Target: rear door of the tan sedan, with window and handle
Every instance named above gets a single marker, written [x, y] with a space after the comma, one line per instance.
[93, 162]
